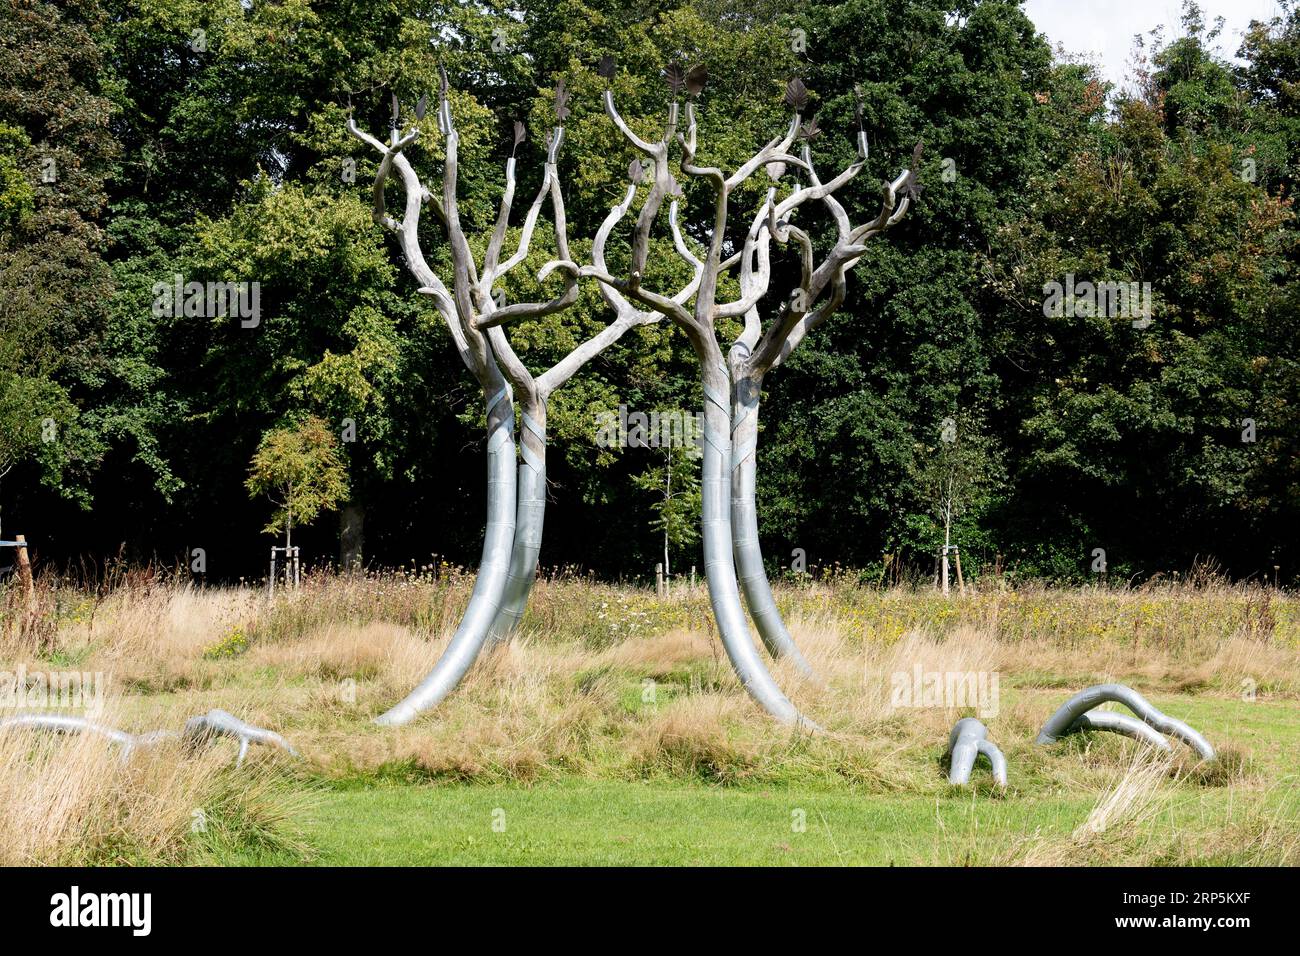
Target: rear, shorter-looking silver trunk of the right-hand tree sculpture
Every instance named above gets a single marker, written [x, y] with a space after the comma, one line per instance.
[749, 555]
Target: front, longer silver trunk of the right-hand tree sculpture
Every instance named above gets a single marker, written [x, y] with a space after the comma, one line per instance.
[720, 564]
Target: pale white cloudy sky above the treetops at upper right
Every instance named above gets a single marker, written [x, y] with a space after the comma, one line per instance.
[1104, 29]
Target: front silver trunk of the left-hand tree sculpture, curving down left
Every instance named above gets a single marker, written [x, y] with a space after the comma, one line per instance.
[493, 570]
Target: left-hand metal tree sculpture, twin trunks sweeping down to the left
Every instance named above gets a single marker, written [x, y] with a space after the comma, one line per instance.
[517, 504]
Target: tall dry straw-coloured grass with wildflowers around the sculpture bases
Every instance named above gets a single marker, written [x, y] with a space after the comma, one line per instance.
[606, 681]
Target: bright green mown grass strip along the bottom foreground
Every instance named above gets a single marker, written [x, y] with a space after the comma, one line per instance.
[655, 824]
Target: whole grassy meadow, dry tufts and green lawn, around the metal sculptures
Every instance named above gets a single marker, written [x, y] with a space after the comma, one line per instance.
[613, 730]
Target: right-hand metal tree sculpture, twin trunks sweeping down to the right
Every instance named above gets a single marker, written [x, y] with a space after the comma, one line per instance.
[756, 353]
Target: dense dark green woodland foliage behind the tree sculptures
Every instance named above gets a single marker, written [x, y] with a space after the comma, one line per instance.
[209, 140]
